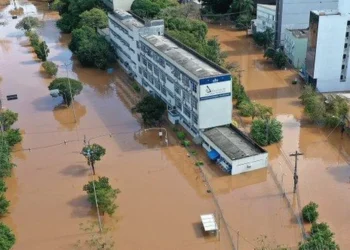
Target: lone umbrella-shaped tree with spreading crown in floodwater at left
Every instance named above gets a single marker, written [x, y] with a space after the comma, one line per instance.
[68, 88]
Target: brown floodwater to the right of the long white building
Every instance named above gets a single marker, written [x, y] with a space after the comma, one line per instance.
[324, 170]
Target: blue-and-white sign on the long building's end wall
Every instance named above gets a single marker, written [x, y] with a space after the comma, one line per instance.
[211, 91]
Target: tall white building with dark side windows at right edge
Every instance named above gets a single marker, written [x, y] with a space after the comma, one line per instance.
[327, 57]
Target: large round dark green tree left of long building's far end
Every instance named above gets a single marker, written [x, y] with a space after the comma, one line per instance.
[91, 49]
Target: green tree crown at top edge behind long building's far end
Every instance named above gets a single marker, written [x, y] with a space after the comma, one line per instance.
[150, 8]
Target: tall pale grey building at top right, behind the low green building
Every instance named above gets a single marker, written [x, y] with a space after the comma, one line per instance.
[294, 14]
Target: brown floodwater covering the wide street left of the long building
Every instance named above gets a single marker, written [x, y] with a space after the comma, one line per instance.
[162, 195]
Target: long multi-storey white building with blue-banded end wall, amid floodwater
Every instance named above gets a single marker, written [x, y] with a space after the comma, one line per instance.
[197, 92]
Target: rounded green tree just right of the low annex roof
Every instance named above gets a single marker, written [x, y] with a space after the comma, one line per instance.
[266, 132]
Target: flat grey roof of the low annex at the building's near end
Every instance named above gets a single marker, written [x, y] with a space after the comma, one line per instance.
[233, 142]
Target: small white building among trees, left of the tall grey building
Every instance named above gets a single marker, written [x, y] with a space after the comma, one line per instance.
[265, 18]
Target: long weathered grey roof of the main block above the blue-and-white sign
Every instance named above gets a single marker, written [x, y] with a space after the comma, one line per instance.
[184, 58]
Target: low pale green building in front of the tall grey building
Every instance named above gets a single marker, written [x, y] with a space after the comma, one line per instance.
[295, 46]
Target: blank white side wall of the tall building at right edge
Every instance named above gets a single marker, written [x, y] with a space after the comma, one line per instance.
[329, 53]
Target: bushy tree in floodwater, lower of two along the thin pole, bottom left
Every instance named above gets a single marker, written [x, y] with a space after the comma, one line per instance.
[106, 195]
